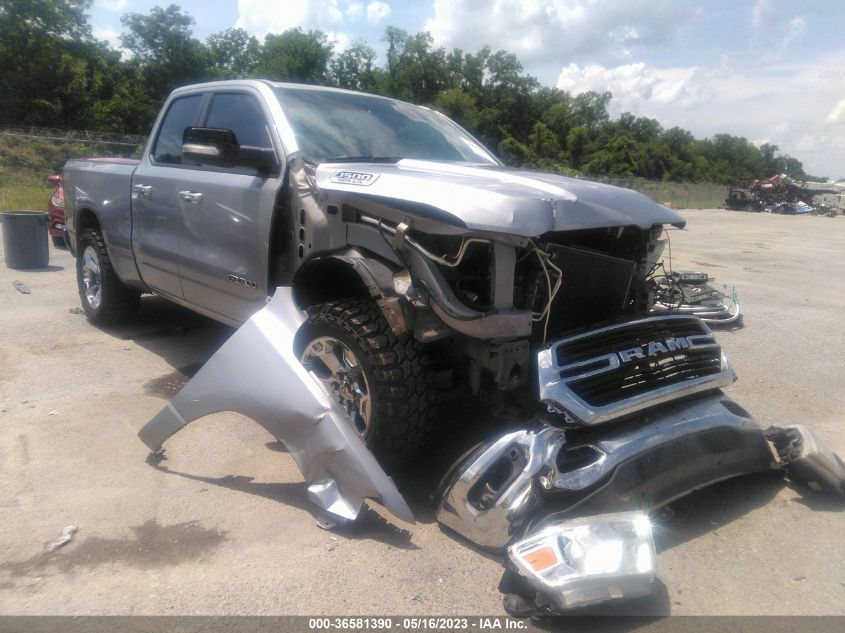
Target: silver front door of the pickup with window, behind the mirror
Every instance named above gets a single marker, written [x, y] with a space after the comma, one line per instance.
[226, 216]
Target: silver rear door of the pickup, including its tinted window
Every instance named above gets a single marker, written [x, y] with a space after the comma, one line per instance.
[156, 219]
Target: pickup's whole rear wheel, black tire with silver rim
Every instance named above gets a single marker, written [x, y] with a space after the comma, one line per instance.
[105, 299]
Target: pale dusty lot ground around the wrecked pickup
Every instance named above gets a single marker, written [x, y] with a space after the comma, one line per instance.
[224, 526]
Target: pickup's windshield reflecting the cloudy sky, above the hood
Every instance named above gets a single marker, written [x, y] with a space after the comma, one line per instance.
[336, 125]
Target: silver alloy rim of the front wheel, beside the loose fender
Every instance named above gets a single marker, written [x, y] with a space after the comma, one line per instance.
[336, 366]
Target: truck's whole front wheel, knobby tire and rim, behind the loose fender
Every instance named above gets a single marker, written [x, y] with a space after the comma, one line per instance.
[383, 380]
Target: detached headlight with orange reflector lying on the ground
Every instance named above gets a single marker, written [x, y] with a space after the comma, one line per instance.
[589, 560]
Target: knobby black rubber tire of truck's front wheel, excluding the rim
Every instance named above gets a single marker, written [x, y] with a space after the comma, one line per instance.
[405, 398]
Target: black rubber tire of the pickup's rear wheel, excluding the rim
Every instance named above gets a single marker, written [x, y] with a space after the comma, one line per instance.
[119, 304]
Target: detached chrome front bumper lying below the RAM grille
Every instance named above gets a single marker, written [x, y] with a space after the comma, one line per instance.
[544, 473]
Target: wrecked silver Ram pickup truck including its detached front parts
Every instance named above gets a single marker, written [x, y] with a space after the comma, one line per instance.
[374, 256]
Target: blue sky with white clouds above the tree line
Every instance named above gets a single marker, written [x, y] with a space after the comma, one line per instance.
[769, 70]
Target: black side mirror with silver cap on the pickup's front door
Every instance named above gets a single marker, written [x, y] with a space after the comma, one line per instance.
[219, 147]
